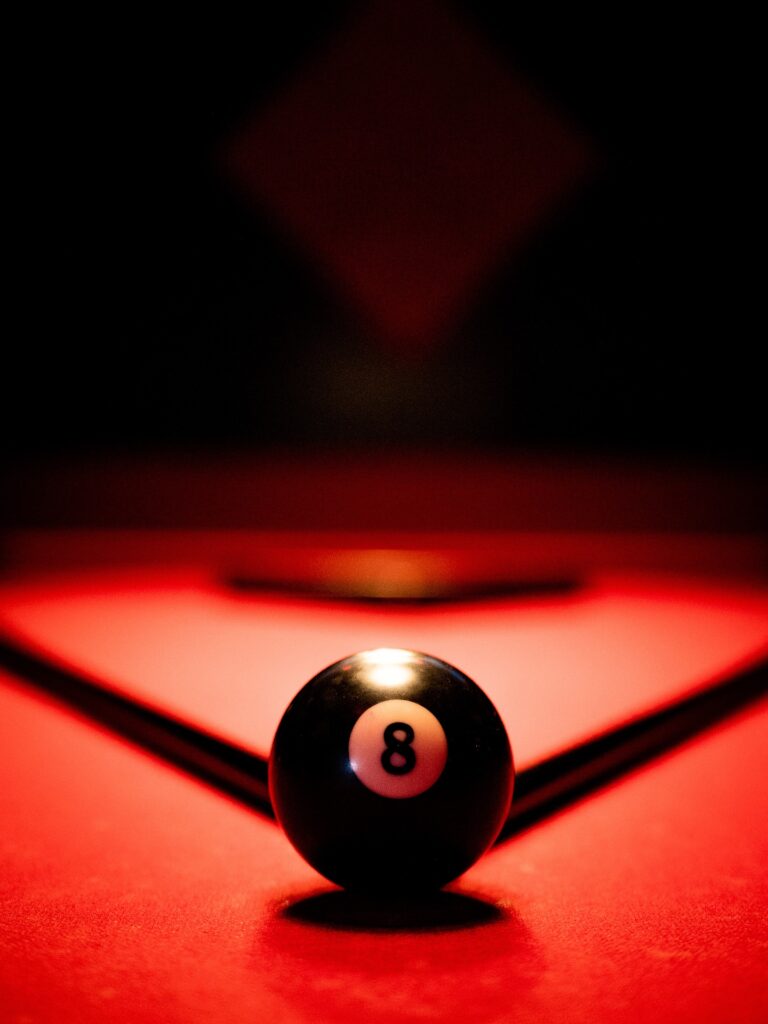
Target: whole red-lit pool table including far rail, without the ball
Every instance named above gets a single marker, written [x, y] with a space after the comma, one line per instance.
[144, 885]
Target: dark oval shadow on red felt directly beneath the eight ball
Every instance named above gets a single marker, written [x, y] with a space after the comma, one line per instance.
[366, 913]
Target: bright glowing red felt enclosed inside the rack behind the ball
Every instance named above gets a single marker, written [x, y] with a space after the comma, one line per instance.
[559, 669]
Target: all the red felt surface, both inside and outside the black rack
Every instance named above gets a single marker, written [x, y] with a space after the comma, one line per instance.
[130, 891]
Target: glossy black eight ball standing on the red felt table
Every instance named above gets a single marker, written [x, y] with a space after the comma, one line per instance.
[392, 772]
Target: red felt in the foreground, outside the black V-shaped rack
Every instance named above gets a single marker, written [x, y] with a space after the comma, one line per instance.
[131, 892]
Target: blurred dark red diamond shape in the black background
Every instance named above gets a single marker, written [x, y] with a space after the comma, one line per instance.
[407, 160]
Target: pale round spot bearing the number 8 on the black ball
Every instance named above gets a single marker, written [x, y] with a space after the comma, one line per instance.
[398, 749]
